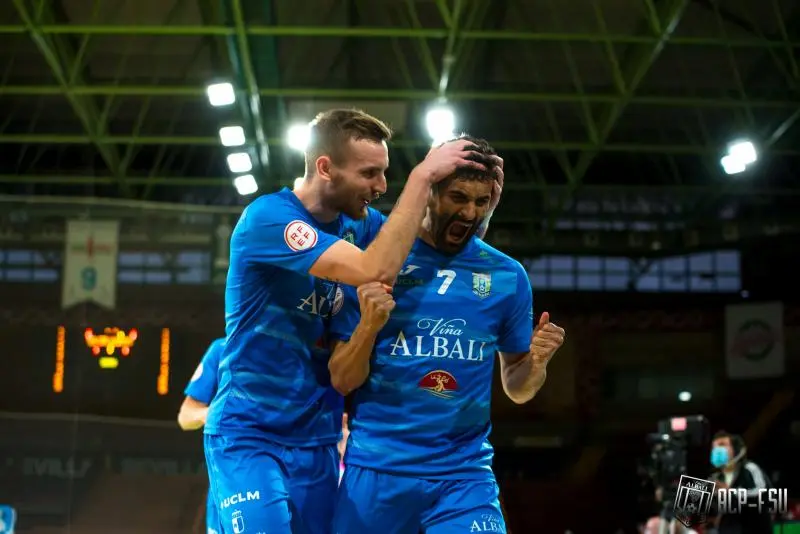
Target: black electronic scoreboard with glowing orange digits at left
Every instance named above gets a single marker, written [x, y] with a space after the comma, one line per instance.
[115, 370]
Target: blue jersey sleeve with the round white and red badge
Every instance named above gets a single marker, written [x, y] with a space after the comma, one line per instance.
[278, 234]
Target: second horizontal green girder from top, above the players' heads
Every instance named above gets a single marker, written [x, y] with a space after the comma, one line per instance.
[322, 93]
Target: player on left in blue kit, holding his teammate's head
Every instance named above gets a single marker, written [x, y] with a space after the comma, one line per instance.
[272, 428]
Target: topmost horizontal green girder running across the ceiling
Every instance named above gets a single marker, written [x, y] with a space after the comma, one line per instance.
[377, 32]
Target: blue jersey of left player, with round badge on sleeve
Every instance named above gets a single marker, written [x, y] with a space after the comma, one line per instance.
[273, 375]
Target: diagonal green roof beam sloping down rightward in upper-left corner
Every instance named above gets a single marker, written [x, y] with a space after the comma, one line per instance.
[60, 56]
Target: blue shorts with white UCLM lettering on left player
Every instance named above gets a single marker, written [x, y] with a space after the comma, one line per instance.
[260, 486]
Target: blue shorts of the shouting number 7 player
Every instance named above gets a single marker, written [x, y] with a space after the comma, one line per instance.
[369, 501]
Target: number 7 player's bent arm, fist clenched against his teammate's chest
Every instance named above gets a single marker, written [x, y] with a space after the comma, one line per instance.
[355, 327]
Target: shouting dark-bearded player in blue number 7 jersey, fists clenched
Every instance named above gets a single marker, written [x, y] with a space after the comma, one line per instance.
[419, 358]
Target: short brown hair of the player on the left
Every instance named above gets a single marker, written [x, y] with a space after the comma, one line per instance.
[331, 131]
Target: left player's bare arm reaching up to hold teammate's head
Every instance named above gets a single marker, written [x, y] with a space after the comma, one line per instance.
[384, 257]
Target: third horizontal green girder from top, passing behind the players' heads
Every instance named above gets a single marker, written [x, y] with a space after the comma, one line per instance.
[666, 148]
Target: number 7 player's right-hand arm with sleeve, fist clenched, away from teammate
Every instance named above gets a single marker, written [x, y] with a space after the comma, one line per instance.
[525, 351]
